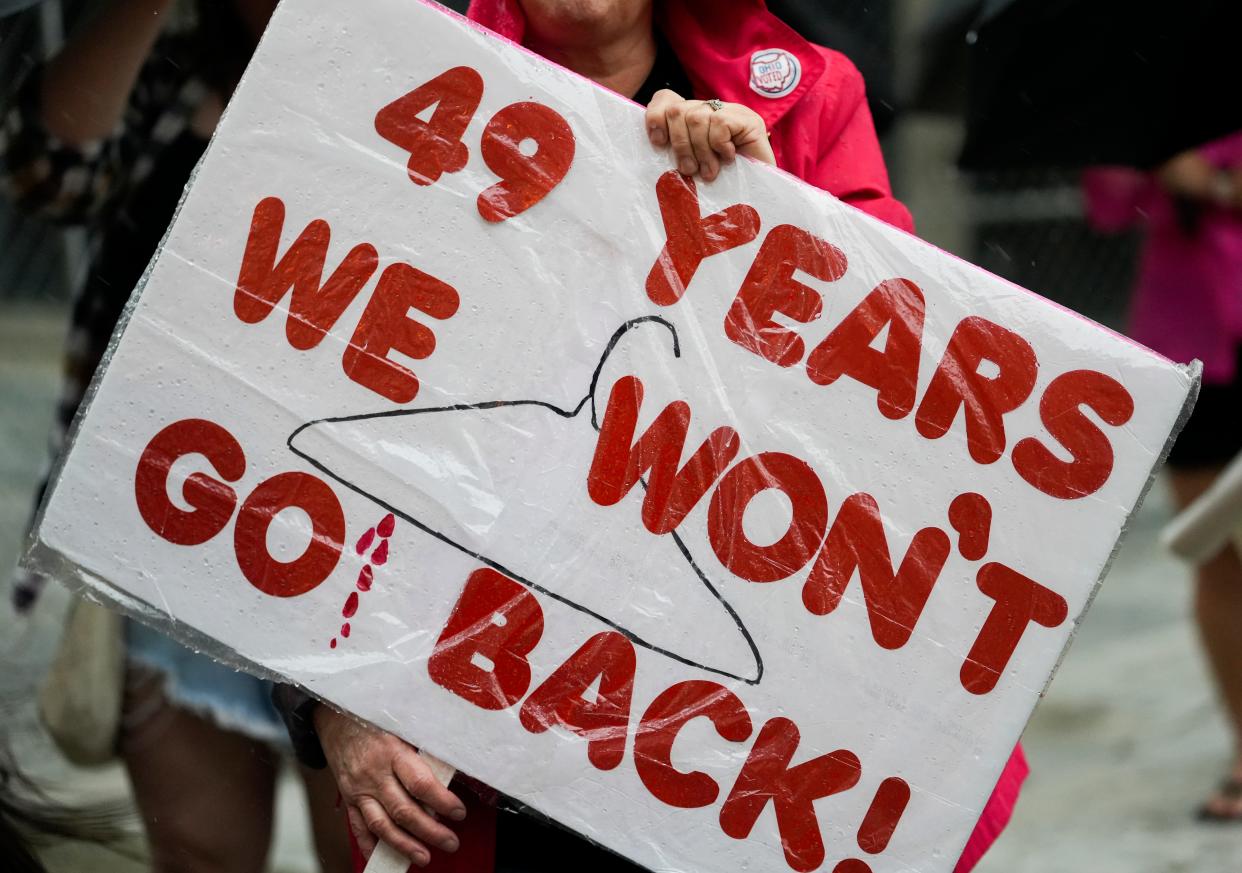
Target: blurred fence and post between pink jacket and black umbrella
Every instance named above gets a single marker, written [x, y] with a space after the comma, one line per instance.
[1024, 225]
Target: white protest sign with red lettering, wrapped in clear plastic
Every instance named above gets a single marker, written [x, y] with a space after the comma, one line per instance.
[722, 523]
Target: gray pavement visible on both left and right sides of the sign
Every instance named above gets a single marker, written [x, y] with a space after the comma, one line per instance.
[1123, 748]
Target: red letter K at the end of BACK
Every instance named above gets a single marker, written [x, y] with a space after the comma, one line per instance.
[767, 778]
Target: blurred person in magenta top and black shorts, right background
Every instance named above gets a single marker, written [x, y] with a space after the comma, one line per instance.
[1187, 305]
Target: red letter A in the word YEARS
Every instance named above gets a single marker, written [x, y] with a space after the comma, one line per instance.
[894, 373]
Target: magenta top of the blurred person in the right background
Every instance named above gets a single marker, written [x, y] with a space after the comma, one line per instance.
[1188, 296]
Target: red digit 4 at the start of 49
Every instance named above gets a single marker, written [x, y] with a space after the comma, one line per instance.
[435, 147]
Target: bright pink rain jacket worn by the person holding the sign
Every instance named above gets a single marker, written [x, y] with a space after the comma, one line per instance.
[822, 132]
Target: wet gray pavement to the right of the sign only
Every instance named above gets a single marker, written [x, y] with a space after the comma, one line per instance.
[1128, 741]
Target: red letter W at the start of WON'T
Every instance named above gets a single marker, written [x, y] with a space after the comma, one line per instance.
[619, 461]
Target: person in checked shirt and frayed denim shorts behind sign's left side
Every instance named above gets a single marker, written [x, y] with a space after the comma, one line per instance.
[105, 136]
